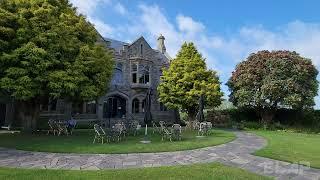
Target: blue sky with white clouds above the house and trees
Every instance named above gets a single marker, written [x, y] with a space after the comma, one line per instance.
[225, 32]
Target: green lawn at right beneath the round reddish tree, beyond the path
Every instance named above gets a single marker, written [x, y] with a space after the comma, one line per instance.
[291, 147]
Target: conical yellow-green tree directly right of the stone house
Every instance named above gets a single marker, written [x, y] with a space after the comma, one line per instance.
[186, 79]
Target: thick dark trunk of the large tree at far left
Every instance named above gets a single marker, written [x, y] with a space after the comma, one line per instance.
[29, 114]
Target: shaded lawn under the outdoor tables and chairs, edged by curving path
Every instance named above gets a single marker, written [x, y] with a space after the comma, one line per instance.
[81, 142]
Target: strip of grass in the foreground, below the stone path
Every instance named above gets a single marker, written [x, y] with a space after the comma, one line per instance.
[197, 171]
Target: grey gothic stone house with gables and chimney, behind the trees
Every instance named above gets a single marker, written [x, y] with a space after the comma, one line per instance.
[138, 67]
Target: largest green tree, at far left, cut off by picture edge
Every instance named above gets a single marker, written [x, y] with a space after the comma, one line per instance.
[48, 50]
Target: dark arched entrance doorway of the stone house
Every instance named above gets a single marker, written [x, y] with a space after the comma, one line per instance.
[114, 107]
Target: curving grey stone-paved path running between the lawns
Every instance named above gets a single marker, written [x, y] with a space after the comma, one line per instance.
[235, 153]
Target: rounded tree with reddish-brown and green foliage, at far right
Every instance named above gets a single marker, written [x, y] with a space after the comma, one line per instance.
[267, 81]
